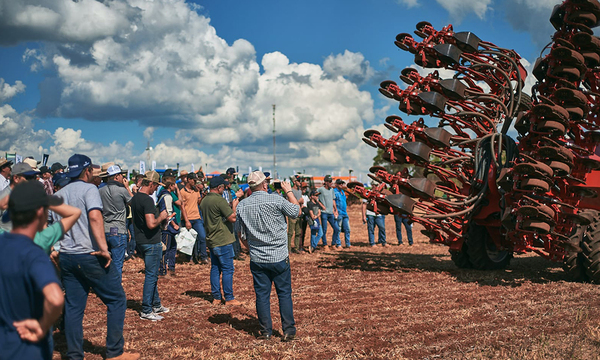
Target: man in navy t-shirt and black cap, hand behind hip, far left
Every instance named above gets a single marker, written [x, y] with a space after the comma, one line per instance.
[30, 298]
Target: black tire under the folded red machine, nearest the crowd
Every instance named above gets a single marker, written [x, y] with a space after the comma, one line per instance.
[482, 250]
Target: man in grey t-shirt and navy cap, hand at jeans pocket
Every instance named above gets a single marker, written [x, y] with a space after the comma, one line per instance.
[85, 264]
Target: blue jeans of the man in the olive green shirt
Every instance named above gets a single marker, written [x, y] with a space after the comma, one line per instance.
[221, 258]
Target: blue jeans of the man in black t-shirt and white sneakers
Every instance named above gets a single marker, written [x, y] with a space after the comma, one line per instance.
[152, 253]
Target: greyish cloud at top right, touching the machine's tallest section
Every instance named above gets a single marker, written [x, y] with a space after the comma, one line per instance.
[532, 16]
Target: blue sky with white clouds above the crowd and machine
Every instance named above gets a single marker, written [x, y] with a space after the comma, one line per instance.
[198, 78]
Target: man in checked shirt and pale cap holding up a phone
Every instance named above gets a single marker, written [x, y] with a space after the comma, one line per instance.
[261, 221]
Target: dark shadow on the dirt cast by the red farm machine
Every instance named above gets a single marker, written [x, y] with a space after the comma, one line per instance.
[532, 269]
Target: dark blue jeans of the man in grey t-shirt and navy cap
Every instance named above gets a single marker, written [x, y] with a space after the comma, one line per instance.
[80, 273]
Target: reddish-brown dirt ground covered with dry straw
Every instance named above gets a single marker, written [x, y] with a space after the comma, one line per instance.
[395, 302]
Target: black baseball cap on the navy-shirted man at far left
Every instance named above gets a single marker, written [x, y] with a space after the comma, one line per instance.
[30, 195]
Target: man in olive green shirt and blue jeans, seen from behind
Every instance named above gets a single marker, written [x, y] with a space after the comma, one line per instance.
[218, 223]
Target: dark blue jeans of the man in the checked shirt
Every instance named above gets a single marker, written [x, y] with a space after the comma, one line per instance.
[265, 274]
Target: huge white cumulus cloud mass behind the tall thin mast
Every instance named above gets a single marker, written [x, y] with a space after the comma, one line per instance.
[162, 64]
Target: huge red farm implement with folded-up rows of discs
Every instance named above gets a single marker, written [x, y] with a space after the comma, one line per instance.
[484, 194]
